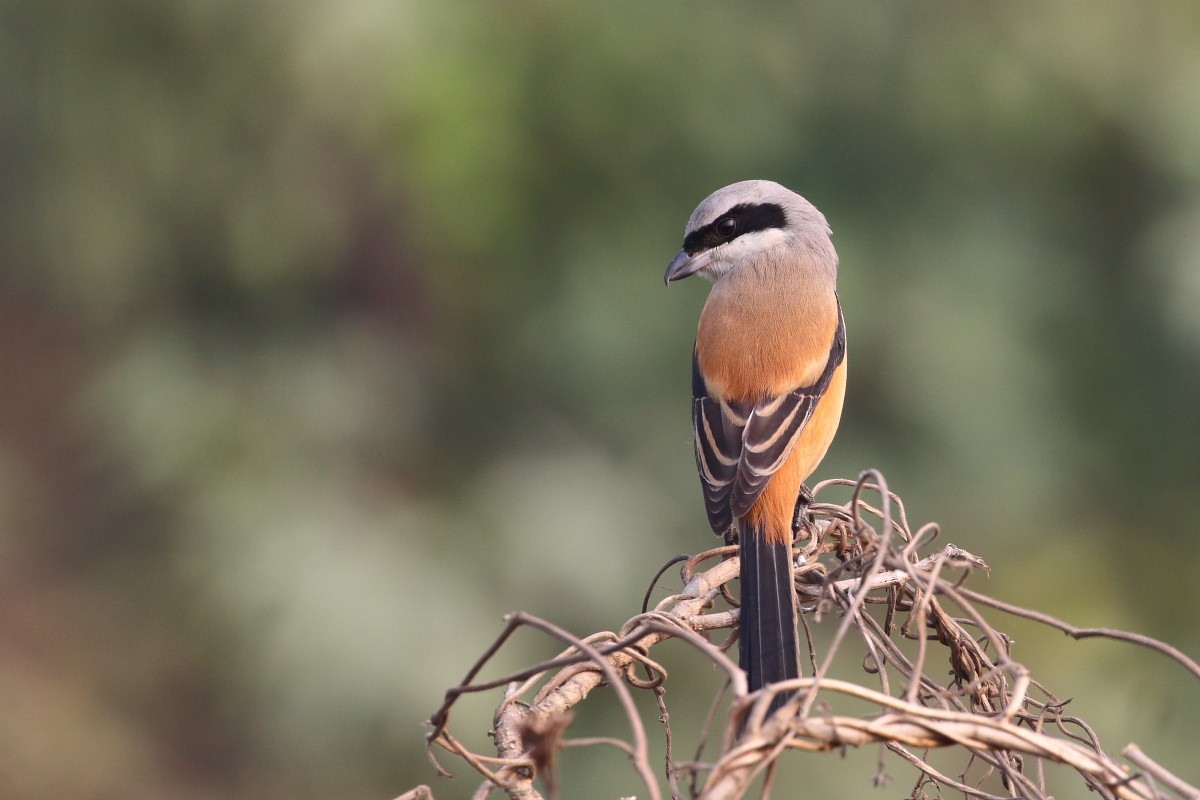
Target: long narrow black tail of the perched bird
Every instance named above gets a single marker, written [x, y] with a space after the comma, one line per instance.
[769, 651]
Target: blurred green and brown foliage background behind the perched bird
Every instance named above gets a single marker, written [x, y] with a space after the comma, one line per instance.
[333, 330]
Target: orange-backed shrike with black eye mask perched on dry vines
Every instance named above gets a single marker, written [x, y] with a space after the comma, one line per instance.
[769, 386]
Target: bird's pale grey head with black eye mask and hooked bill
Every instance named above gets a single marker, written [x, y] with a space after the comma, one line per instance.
[746, 220]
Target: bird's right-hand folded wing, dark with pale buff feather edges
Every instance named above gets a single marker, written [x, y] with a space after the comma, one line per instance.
[773, 428]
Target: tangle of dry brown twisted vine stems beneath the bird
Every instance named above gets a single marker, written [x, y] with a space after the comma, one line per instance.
[859, 562]
